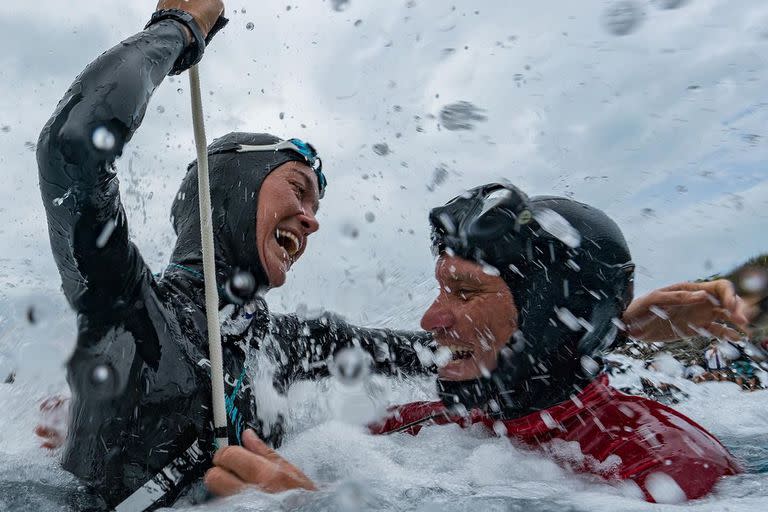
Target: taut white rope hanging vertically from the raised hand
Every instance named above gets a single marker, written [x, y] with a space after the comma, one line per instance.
[209, 264]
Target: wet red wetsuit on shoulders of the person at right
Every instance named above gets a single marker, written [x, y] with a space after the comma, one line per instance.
[621, 436]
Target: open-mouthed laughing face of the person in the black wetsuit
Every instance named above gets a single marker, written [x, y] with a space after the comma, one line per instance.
[288, 202]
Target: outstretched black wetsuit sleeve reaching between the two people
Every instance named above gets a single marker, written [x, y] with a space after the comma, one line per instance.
[310, 344]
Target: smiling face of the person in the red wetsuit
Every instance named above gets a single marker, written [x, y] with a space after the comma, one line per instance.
[473, 316]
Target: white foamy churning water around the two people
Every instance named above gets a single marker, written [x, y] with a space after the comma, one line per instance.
[443, 468]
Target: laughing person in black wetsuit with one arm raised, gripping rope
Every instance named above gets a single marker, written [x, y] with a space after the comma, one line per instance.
[140, 421]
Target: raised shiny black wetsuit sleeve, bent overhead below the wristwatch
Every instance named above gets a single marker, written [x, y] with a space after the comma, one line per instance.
[76, 152]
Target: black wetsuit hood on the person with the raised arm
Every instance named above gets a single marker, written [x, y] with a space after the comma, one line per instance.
[235, 181]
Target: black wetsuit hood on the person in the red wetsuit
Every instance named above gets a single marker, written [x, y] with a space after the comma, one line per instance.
[570, 273]
